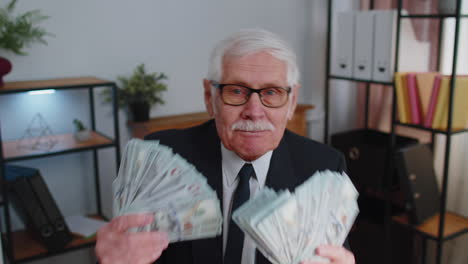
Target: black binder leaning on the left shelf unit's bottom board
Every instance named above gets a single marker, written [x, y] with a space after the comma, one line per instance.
[37, 206]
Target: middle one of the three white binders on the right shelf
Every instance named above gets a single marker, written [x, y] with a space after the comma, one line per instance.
[363, 44]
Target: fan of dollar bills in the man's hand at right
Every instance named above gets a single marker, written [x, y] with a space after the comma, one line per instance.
[287, 227]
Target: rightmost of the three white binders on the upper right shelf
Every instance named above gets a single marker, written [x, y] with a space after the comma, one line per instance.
[384, 45]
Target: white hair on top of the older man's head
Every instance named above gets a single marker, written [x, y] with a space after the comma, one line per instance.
[251, 41]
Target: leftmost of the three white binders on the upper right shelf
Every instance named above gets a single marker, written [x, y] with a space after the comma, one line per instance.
[343, 60]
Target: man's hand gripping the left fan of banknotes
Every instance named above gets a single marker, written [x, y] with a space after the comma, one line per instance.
[115, 245]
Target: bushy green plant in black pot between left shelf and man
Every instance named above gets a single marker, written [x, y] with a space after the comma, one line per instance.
[139, 92]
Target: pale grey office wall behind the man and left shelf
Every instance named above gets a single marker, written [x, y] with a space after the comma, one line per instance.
[108, 38]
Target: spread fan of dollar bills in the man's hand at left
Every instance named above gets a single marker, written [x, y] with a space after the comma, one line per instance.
[153, 179]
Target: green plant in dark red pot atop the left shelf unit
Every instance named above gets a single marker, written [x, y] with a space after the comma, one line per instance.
[18, 32]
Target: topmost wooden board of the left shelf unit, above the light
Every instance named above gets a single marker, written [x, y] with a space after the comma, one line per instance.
[63, 83]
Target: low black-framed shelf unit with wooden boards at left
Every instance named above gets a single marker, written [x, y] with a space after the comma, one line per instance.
[19, 245]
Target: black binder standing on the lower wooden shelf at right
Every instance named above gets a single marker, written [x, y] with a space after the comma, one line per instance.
[418, 181]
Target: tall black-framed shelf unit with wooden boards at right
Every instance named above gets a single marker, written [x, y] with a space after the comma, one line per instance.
[437, 228]
